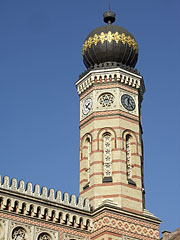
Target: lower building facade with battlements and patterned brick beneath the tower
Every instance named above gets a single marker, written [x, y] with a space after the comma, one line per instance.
[31, 213]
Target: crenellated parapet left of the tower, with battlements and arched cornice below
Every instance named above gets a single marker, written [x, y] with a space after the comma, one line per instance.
[43, 204]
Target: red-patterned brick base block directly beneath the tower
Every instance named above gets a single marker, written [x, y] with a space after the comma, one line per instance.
[115, 224]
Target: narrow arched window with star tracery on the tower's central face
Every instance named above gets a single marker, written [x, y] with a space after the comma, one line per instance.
[107, 158]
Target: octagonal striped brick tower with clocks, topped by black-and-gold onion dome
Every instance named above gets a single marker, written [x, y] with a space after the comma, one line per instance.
[111, 93]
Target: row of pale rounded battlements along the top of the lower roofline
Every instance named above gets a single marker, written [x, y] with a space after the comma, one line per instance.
[43, 193]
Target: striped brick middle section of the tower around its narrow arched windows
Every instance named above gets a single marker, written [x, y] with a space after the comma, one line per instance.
[122, 193]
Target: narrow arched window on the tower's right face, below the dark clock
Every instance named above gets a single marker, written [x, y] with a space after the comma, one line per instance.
[129, 159]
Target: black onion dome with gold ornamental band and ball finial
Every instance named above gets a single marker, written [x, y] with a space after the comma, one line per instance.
[110, 43]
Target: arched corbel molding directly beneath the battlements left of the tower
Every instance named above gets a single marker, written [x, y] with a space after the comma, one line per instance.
[46, 213]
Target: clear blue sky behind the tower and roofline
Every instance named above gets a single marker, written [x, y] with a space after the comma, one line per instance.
[40, 60]
